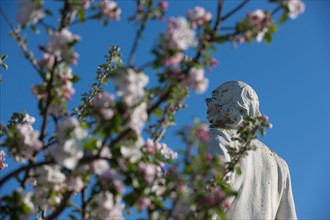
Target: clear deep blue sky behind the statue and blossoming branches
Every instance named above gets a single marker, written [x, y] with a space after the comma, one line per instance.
[290, 76]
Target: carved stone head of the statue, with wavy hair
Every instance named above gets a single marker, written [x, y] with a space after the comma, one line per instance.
[230, 102]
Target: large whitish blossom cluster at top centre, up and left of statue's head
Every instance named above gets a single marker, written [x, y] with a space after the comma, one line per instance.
[179, 36]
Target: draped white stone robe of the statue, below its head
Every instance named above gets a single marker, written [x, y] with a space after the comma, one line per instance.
[264, 186]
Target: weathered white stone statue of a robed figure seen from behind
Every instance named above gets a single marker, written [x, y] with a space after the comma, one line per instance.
[264, 187]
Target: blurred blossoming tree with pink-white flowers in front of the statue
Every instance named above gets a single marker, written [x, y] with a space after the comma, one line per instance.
[106, 156]
